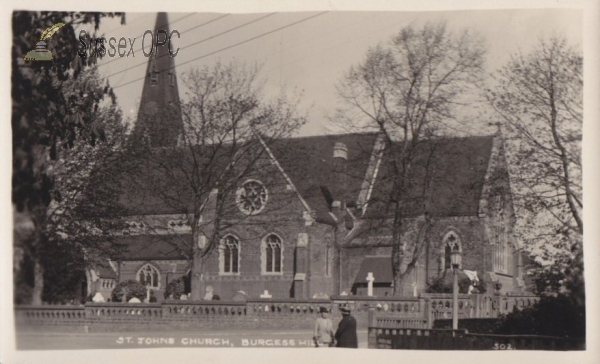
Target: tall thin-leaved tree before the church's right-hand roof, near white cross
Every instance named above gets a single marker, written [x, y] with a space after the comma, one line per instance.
[408, 90]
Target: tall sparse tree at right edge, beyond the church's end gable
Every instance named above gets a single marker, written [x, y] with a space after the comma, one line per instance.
[539, 97]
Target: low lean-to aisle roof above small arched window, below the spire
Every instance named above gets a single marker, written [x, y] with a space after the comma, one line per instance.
[154, 247]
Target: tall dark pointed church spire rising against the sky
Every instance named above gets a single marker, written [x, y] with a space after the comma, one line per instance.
[159, 119]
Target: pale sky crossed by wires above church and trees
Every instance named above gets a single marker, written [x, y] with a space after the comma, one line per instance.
[311, 51]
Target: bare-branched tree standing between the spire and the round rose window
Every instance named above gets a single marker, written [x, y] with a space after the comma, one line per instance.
[227, 121]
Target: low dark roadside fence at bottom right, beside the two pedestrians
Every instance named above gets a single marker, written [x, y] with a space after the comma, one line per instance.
[435, 339]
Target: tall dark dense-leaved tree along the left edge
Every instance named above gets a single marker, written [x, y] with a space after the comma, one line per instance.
[44, 119]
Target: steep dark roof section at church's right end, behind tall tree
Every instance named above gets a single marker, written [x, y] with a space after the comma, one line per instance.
[456, 170]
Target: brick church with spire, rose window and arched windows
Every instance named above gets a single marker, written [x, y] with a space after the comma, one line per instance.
[308, 217]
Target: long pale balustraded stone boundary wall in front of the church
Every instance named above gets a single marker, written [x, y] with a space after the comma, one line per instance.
[254, 314]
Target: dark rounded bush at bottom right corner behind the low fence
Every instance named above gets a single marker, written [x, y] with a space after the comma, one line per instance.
[553, 316]
